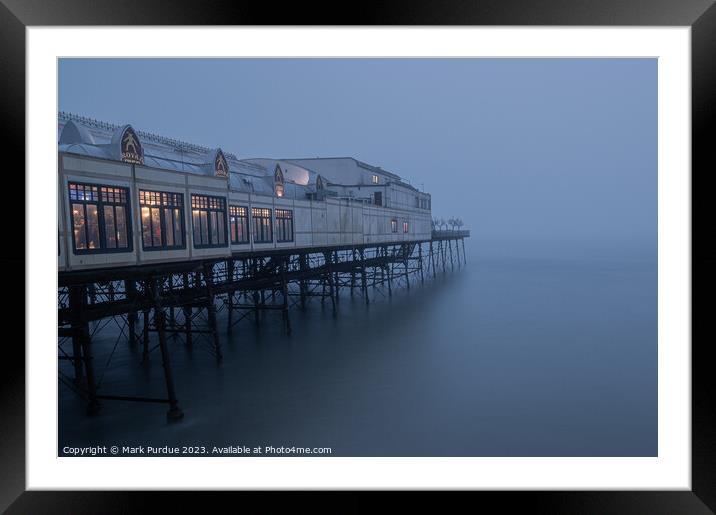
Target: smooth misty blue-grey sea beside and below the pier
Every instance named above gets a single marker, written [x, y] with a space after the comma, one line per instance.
[521, 353]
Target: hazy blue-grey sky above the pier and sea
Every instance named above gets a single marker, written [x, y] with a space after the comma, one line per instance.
[518, 148]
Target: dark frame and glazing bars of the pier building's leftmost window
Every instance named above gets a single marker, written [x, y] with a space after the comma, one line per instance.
[101, 223]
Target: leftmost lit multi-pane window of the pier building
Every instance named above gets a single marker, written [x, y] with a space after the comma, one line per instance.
[100, 219]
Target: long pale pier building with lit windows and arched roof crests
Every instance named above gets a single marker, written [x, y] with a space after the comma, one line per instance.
[129, 198]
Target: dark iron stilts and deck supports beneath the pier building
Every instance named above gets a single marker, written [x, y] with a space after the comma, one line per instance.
[151, 303]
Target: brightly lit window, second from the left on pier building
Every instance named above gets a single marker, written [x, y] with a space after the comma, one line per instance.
[162, 220]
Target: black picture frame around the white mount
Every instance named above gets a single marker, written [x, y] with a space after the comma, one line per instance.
[700, 15]
